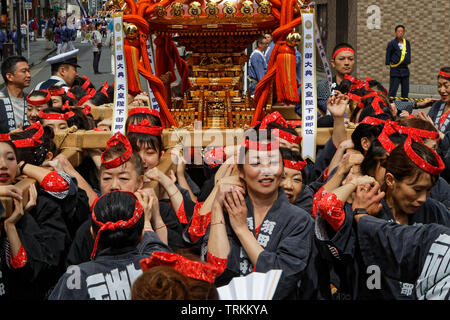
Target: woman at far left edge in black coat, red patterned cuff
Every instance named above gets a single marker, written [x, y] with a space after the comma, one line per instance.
[35, 242]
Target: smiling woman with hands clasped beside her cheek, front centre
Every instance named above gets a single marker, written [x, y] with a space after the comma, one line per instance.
[253, 227]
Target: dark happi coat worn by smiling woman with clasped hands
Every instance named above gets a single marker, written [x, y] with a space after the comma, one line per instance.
[285, 235]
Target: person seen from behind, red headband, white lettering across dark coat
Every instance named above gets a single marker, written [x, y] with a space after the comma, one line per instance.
[123, 236]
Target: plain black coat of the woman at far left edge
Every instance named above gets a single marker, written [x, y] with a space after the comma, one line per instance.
[45, 239]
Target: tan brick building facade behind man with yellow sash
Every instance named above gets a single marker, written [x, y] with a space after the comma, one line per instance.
[368, 25]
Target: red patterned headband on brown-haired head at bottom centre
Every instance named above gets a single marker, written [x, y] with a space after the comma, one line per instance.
[193, 269]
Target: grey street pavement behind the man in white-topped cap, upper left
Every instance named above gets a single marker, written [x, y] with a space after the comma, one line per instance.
[40, 70]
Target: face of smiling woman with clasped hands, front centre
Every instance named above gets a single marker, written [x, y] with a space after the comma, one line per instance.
[262, 171]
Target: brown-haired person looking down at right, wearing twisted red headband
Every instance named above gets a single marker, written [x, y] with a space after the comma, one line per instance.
[410, 172]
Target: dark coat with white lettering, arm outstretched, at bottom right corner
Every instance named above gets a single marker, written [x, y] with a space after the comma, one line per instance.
[417, 254]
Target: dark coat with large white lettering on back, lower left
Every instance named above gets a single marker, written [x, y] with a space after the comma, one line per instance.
[110, 275]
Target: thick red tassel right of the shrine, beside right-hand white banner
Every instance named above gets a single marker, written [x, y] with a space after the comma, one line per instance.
[286, 78]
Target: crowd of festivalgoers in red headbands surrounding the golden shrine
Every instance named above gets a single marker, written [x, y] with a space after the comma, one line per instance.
[366, 220]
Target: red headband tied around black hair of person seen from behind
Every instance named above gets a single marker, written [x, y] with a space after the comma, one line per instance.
[120, 224]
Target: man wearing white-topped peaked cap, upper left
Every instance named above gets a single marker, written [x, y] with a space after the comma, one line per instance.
[64, 70]
